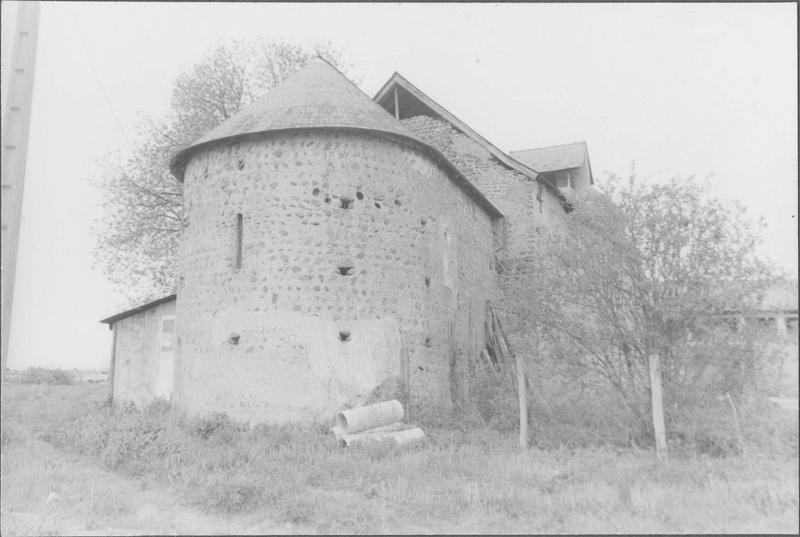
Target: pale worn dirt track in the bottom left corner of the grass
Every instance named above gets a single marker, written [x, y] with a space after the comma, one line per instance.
[58, 494]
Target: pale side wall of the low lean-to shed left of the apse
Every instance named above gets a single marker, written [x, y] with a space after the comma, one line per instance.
[137, 354]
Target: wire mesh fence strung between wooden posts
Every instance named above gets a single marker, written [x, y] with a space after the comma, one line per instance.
[720, 409]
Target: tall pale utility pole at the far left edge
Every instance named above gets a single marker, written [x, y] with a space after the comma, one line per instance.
[14, 153]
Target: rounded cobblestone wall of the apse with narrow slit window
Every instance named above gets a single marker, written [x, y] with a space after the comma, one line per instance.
[342, 232]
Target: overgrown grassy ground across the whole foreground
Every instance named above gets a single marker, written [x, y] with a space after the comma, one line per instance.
[73, 464]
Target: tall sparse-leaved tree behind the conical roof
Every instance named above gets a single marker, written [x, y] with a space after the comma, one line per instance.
[138, 237]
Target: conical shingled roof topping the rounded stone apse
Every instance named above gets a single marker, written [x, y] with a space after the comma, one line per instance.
[317, 96]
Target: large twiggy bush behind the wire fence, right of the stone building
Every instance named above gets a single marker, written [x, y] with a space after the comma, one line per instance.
[641, 269]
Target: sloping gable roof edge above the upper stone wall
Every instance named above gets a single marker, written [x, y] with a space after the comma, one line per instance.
[385, 97]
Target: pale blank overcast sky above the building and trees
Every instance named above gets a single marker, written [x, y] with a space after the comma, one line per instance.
[686, 89]
